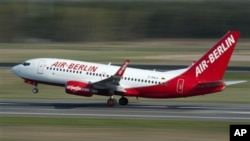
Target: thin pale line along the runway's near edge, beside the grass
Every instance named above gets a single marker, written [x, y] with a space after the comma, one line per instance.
[130, 116]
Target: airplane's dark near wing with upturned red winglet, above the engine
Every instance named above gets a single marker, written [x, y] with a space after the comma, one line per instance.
[112, 83]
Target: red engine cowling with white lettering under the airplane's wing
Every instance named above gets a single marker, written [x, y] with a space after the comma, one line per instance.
[78, 88]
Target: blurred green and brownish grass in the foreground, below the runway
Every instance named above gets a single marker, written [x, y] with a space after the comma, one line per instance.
[47, 128]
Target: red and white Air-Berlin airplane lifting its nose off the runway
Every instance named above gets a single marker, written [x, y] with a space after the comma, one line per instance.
[86, 78]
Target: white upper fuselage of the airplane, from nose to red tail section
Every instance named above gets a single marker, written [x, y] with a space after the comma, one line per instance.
[59, 71]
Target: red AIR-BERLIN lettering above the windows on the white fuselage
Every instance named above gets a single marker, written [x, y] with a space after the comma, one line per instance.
[73, 66]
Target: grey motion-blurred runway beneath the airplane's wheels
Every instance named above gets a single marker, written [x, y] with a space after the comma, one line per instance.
[136, 110]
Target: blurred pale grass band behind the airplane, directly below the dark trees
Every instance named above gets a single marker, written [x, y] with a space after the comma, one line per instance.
[156, 52]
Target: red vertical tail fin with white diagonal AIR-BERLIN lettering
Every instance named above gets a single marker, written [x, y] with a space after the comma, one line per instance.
[212, 65]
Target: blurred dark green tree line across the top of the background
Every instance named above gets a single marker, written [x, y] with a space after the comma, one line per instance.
[115, 21]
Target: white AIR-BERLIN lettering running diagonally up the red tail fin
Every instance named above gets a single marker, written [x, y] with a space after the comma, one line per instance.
[215, 54]
